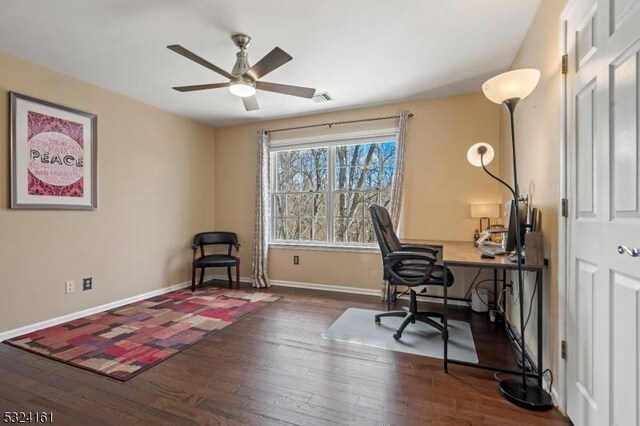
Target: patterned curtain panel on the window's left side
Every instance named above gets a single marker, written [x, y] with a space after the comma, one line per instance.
[262, 226]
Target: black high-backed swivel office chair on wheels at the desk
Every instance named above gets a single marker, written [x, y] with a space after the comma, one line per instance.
[410, 266]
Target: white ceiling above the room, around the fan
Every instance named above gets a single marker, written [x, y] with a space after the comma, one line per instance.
[363, 52]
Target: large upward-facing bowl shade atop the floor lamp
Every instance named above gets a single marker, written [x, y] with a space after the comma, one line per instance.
[517, 84]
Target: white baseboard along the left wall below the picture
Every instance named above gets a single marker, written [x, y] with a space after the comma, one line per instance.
[97, 309]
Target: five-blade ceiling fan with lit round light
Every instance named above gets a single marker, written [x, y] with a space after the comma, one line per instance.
[244, 79]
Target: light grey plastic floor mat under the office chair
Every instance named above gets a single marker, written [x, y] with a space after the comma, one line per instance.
[358, 326]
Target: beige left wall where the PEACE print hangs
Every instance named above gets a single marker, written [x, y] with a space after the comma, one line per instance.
[156, 188]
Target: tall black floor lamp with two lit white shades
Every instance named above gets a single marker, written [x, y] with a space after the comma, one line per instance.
[508, 89]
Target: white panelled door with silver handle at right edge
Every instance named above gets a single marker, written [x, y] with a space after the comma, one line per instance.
[603, 156]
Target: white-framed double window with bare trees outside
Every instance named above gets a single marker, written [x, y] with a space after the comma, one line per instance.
[321, 191]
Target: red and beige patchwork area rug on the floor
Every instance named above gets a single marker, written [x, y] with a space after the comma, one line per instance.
[125, 341]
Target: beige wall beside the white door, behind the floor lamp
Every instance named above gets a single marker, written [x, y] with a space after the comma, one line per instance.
[538, 150]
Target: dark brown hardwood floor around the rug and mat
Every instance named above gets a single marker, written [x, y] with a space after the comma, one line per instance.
[274, 367]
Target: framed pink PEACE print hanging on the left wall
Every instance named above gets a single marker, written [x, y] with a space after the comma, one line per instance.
[53, 155]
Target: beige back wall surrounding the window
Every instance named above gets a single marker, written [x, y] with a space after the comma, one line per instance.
[439, 185]
